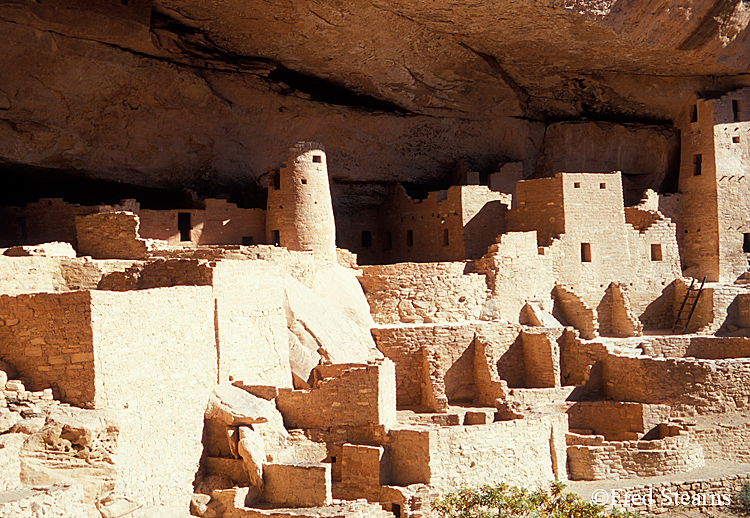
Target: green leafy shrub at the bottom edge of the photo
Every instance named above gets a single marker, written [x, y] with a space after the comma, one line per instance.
[503, 501]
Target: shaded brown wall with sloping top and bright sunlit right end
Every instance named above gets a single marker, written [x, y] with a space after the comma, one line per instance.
[360, 396]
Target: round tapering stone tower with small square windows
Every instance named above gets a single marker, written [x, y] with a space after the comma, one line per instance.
[300, 212]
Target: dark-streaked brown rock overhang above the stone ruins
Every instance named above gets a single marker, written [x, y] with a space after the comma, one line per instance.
[197, 92]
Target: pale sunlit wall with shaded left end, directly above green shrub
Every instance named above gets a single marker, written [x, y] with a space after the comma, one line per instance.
[525, 452]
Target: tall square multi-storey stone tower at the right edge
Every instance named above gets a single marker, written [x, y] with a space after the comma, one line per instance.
[715, 185]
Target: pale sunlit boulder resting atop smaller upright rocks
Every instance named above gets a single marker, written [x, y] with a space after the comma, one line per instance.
[234, 407]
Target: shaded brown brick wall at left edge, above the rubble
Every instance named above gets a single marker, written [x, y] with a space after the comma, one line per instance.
[48, 338]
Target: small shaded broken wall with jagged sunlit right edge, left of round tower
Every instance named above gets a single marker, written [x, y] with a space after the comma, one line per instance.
[110, 235]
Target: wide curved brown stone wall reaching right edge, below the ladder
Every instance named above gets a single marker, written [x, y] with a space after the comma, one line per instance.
[702, 386]
